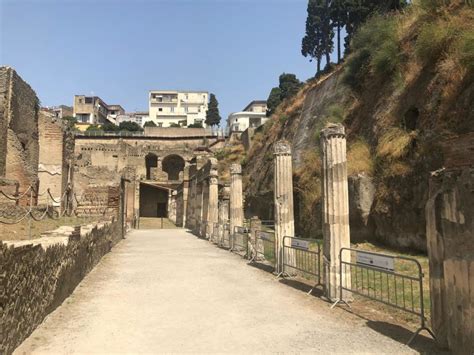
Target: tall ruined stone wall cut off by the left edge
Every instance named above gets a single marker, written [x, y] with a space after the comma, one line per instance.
[19, 149]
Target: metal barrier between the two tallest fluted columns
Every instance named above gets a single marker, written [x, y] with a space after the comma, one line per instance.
[302, 256]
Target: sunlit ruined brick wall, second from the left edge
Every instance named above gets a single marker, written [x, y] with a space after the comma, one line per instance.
[56, 155]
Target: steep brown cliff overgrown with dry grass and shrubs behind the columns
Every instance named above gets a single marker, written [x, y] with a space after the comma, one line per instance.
[406, 86]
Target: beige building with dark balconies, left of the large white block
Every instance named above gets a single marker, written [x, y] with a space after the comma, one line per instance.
[89, 110]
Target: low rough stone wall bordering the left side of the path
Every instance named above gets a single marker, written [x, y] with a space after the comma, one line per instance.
[37, 275]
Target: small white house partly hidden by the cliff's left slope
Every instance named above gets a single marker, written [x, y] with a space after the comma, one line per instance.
[253, 115]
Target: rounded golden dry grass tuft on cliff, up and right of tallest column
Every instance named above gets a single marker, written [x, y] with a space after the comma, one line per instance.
[394, 144]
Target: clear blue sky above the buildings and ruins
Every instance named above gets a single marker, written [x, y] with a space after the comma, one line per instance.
[120, 49]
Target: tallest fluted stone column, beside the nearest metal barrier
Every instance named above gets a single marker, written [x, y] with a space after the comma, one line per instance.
[335, 206]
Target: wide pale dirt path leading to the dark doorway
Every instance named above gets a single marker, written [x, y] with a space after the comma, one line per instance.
[168, 291]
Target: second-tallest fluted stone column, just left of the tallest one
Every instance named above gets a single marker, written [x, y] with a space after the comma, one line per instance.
[283, 198]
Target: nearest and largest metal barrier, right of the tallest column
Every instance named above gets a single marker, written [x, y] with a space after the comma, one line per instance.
[380, 277]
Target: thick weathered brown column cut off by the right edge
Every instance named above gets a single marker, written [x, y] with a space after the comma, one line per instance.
[450, 235]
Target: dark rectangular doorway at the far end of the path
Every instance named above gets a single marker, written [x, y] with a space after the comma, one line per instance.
[153, 201]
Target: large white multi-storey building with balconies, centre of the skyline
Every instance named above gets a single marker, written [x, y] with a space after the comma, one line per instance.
[168, 107]
